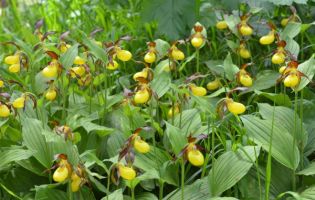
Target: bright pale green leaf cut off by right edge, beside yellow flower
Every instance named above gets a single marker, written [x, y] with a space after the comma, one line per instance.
[308, 69]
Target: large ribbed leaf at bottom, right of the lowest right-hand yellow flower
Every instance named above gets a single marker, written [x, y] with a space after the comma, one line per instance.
[230, 167]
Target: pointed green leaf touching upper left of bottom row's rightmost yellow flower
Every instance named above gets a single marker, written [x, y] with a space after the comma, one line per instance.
[176, 137]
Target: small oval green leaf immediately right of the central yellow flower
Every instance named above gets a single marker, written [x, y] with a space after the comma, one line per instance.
[161, 84]
